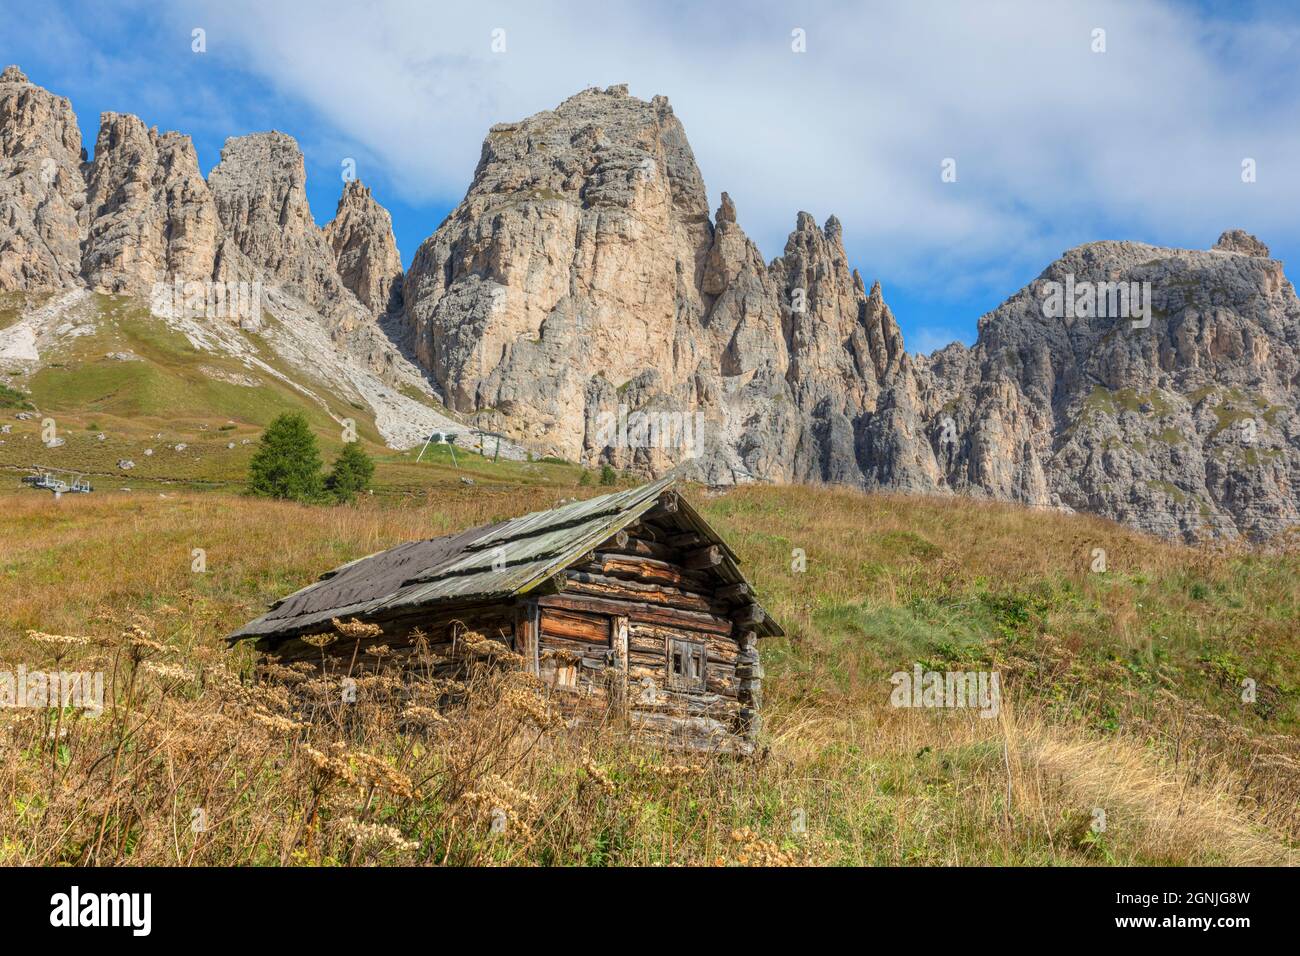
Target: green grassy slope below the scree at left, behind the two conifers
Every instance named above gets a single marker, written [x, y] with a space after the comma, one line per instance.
[146, 388]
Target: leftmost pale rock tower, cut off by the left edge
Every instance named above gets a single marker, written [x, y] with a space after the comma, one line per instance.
[42, 191]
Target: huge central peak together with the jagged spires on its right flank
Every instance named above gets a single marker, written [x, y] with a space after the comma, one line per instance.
[583, 274]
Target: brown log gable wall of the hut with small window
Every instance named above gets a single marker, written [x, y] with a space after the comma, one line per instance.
[644, 631]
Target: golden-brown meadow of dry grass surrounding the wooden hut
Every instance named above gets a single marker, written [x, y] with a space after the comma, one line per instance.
[1123, 695]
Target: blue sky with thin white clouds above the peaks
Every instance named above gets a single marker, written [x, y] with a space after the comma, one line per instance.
[1056, 144]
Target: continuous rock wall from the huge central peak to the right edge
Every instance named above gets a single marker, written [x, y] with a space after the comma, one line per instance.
[582, 282]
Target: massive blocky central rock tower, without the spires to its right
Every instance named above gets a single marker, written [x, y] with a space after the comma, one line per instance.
[578, 253]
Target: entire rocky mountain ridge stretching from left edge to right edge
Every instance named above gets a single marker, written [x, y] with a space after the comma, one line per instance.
[584, 280]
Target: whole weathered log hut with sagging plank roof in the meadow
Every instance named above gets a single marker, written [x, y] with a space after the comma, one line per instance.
[627, 607]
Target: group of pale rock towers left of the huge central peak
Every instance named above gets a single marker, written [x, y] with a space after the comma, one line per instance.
[141, 220]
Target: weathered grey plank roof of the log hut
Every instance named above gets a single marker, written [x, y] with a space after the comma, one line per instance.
[484, 564]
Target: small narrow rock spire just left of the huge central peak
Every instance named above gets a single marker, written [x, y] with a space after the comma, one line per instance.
[366, 254]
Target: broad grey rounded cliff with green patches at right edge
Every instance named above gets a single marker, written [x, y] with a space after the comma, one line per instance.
[1182, 422]
